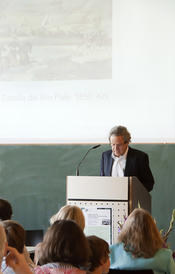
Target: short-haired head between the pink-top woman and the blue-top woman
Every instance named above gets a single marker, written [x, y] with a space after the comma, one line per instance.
[99, 258]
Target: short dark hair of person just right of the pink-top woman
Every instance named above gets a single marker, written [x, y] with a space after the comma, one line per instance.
[99, 251]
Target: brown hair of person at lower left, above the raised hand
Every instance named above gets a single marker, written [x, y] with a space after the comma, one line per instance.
[15, 234]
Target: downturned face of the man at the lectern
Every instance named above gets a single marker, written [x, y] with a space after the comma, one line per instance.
[118, 145]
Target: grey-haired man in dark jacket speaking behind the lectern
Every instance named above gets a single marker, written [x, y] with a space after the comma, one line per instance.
[122, 160]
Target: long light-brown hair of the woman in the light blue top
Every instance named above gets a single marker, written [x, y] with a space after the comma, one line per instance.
[140, 234]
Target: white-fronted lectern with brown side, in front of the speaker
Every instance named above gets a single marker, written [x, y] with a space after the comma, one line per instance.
[106, 202]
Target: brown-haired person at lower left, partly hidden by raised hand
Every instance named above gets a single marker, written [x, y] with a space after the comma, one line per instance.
[15, 234]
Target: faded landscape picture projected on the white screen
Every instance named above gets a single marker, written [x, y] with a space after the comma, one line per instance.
[53, 40]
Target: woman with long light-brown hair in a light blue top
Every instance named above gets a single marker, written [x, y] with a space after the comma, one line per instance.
[140, 246]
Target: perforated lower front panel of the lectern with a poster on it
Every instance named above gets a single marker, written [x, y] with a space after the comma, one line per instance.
[103, 218]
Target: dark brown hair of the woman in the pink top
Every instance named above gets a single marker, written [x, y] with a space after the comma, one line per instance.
[65, 242]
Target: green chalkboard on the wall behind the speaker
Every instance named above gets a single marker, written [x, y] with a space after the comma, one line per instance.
[33, 179]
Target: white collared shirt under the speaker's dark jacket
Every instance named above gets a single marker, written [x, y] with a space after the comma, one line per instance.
[119, 164]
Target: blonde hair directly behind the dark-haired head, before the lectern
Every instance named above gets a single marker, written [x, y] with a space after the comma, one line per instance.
[69, 212]
